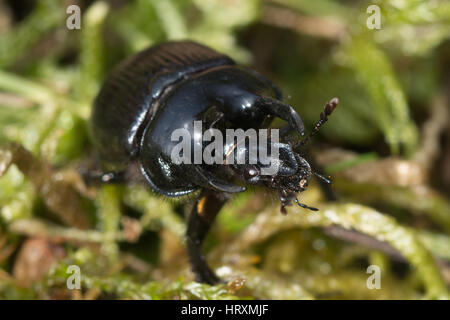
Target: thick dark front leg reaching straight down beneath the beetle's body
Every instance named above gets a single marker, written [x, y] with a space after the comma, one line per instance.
[198, 225]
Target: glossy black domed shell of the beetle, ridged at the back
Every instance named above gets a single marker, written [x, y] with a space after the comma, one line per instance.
[166, 87]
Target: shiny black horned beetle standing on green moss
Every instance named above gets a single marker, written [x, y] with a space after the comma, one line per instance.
[171, 85]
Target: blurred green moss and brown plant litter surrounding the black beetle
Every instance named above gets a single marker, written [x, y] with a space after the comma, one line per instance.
[387, 148]
